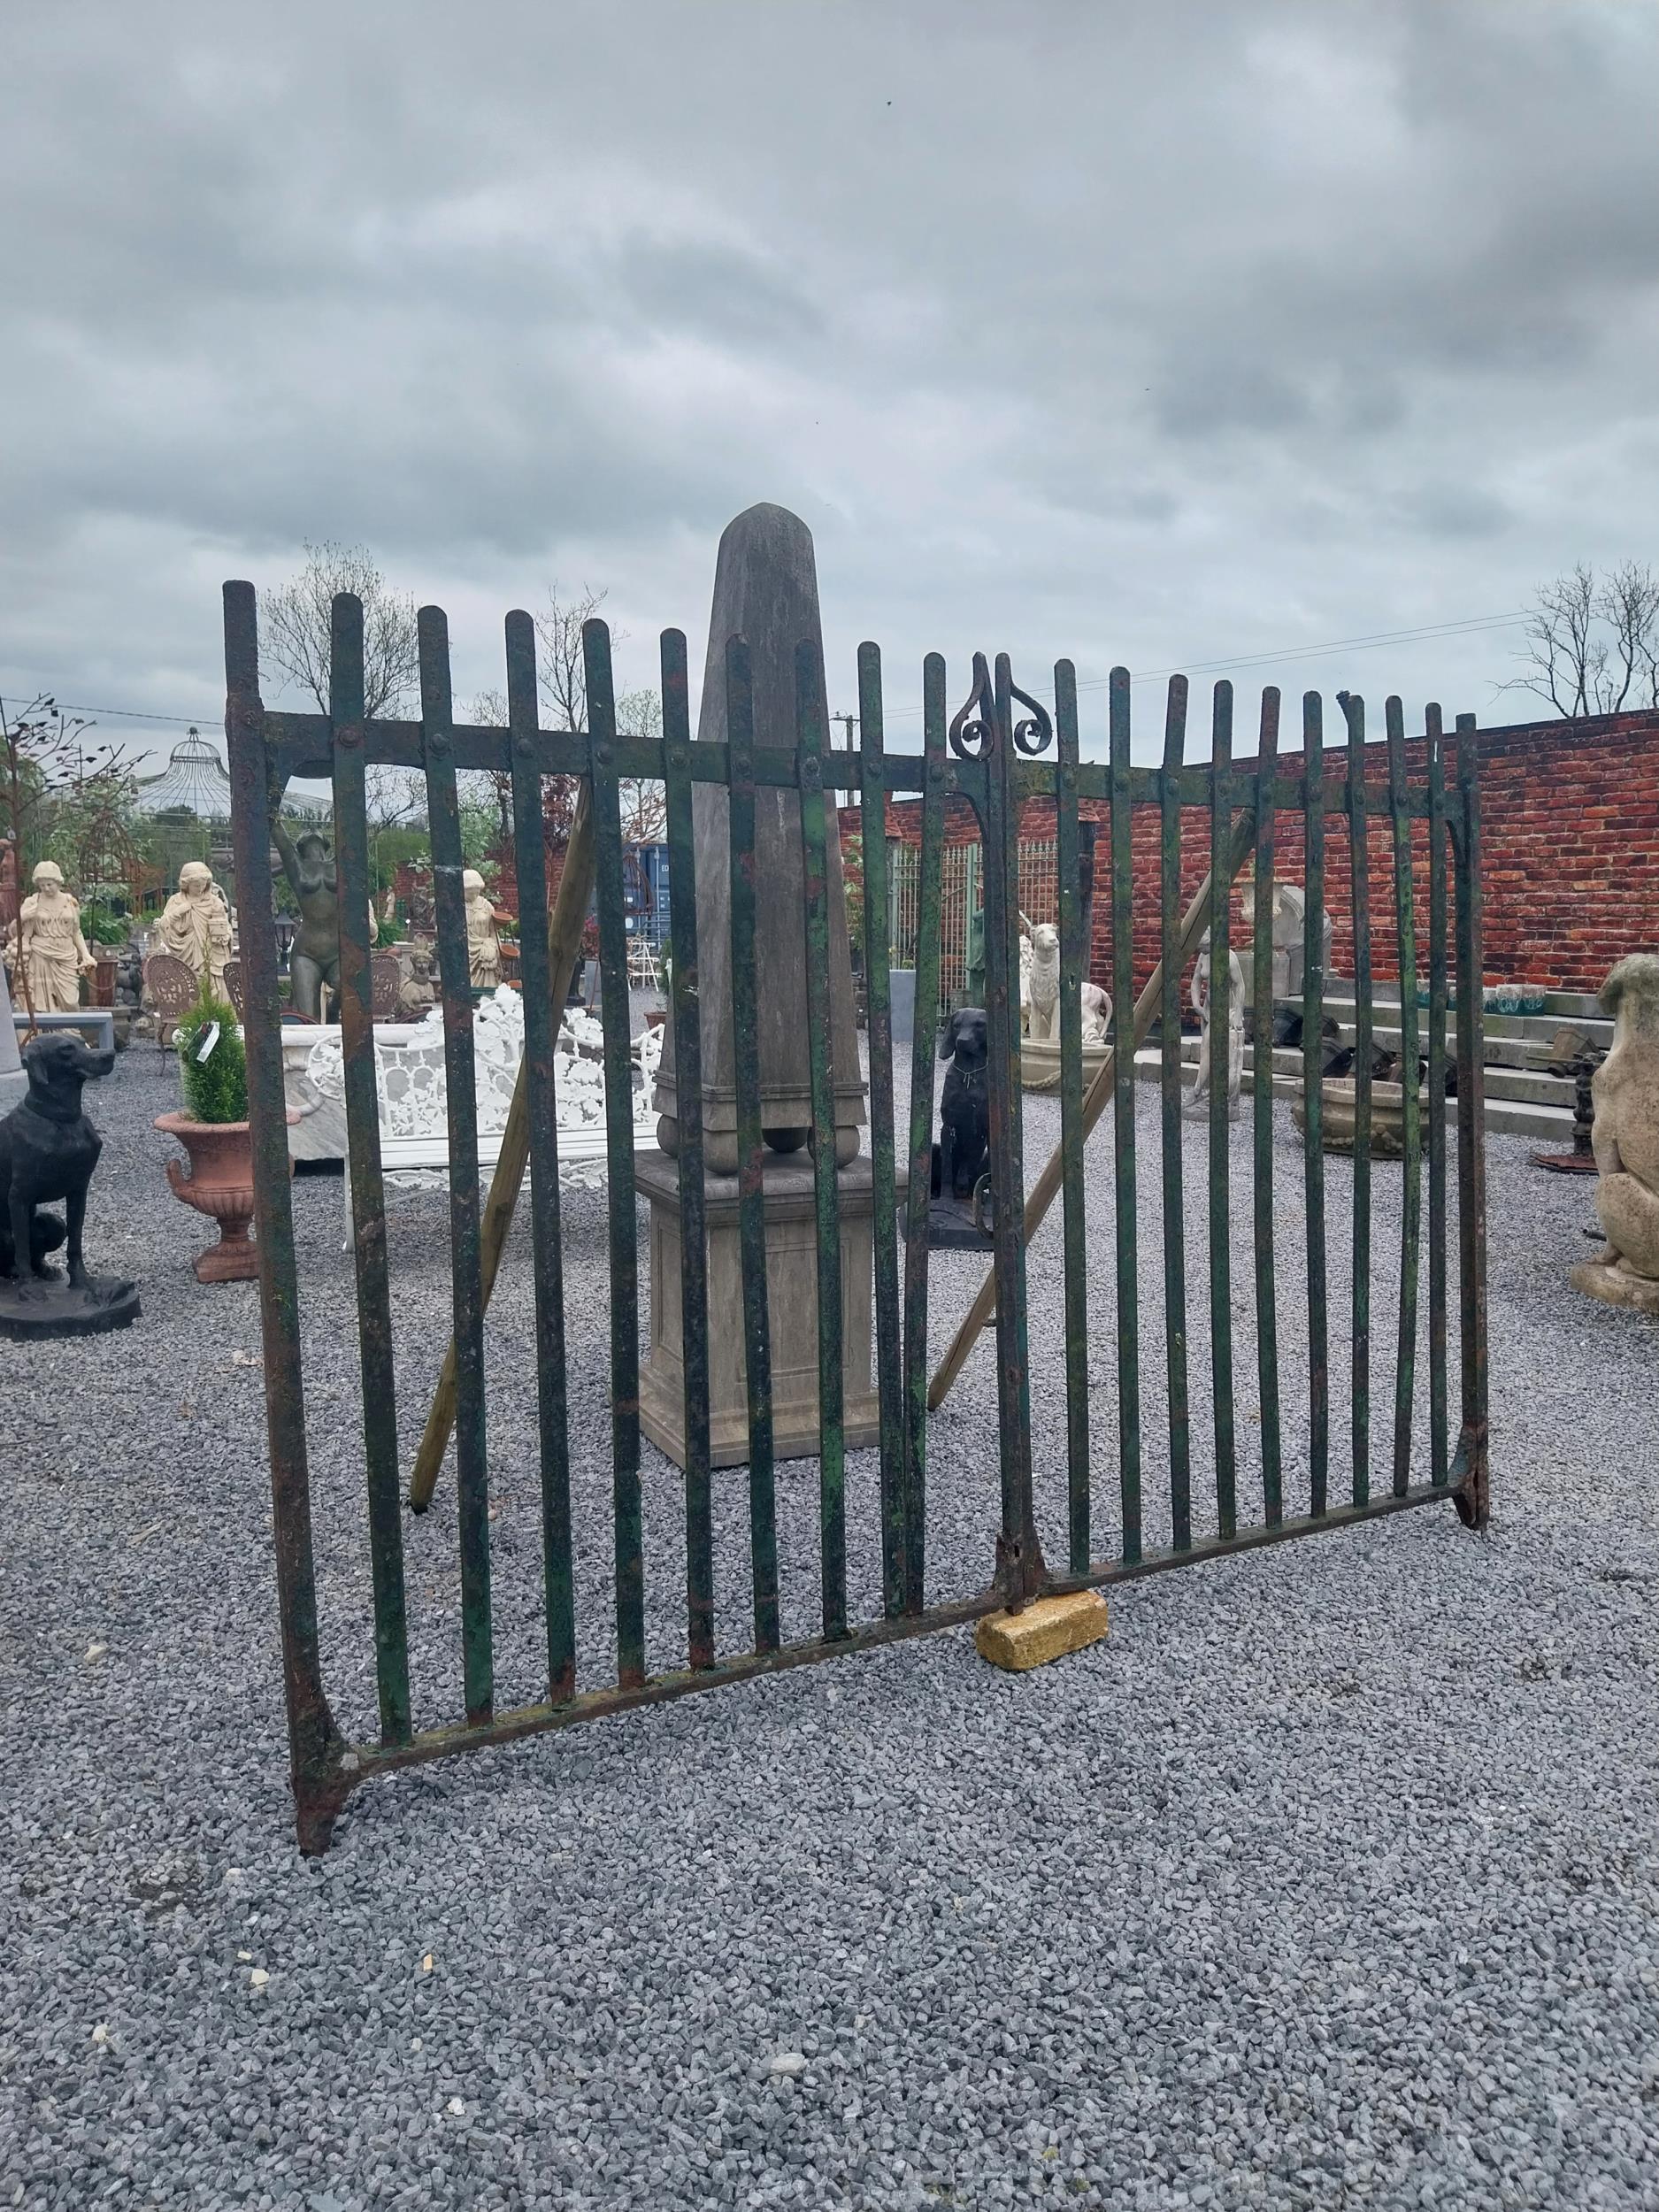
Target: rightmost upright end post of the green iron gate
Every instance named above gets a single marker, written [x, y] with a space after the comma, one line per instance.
[1472, 1136]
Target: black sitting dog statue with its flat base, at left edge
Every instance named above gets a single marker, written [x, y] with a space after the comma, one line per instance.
[48, 1154]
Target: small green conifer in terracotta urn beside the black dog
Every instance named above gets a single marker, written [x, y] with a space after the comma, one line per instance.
[213, 1131]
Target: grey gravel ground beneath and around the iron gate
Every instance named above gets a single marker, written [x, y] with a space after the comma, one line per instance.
[1328, 1881]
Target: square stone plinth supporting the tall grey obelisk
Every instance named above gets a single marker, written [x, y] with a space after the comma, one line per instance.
[793, 1300]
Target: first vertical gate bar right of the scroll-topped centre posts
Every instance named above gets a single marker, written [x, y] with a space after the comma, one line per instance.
[1072, 1112]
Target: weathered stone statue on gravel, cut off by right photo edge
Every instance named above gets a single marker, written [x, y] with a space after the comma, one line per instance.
[1627, 1142]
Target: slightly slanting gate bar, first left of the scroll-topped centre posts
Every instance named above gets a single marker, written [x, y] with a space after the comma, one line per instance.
[921, 1129]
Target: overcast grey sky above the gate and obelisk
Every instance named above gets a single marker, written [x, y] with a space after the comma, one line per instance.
[1165, 335]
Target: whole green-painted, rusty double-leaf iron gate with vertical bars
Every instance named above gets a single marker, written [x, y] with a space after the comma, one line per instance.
[999, 751]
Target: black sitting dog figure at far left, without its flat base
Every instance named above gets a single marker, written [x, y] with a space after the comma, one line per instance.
[50, 1151]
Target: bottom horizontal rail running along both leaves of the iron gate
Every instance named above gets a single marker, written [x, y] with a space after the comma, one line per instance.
[364, 1762]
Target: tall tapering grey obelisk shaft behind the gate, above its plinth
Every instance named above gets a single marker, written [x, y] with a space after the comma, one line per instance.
[766, 592]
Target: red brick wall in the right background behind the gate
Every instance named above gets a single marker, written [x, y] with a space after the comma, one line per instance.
[1569, 855]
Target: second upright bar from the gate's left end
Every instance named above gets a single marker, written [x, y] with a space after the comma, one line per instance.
[368, 1189]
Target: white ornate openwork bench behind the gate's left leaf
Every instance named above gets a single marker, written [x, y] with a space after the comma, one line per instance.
[413, 1094]
